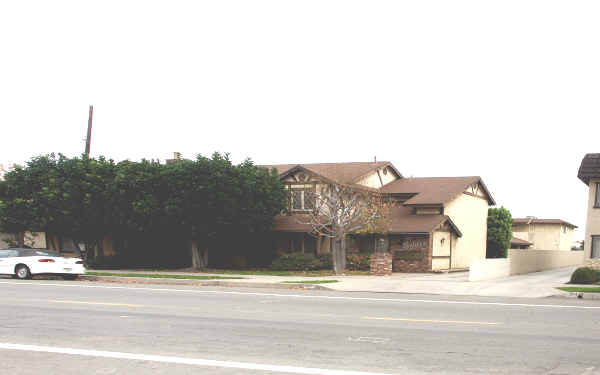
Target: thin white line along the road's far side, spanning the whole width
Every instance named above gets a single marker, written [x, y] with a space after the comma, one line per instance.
[308, 296]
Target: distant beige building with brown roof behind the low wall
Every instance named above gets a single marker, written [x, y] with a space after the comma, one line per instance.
[544, 234]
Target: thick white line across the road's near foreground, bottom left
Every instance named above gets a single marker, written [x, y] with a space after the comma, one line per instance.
[183, 360]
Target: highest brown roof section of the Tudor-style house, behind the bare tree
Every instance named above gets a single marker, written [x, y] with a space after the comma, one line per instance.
[342, 173]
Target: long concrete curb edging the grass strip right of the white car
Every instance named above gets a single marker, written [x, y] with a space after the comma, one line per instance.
[192, 282]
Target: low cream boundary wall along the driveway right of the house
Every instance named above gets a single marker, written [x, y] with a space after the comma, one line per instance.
[523, 261]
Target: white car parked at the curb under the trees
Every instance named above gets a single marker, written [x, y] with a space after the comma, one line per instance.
[24, 263]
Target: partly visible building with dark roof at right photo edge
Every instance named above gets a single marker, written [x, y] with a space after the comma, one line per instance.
[589, 173]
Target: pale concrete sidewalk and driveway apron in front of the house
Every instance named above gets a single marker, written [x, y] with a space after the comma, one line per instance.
[533, 285]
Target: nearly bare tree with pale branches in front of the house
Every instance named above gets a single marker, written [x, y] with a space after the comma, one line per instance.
[342, 209]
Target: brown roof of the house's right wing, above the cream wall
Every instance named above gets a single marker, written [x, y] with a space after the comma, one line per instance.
[433, 190]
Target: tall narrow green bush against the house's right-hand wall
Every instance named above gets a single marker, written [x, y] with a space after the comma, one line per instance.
[499, 232]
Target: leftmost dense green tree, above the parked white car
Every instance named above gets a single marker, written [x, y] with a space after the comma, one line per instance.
[64, 196]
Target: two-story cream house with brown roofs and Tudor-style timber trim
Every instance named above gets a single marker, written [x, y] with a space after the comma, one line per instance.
[436, 223]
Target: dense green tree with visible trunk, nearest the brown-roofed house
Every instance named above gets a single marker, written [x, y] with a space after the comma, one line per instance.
[212, 201]
